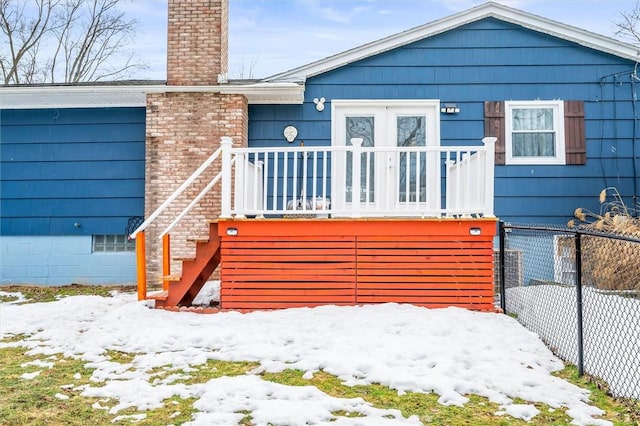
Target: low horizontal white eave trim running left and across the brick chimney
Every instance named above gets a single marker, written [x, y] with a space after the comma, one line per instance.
[105, 96]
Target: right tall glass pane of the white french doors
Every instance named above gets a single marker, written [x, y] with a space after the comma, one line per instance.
[412, 173]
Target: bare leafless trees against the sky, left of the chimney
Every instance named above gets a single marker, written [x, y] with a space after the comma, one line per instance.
[65, 41]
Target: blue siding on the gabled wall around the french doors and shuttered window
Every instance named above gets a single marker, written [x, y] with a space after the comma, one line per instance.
[491, 60]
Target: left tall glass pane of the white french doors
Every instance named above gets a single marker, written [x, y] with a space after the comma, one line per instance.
[361, 127]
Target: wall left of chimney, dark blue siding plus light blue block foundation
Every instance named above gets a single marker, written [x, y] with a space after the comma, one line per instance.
[68, 174]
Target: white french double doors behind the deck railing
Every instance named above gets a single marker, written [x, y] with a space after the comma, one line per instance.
[391, 177]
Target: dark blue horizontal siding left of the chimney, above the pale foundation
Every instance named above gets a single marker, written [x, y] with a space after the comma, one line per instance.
[62, 167]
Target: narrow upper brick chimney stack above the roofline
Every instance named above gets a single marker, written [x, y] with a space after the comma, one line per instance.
[198, 42]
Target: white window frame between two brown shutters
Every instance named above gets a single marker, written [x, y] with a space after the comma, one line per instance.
[558, 125]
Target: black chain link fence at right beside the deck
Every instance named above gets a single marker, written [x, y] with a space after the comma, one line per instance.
[580, 292]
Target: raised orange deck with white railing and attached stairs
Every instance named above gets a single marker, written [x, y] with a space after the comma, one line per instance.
[430, 254]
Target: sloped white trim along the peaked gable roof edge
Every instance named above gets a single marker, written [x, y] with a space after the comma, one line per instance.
[491, 9]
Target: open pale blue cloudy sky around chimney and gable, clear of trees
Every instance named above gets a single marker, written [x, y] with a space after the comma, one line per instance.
[267, 37]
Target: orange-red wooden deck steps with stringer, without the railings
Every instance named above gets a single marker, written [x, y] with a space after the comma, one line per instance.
[195, 272]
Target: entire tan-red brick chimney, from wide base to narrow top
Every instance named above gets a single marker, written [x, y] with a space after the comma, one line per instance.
[184, 128]
